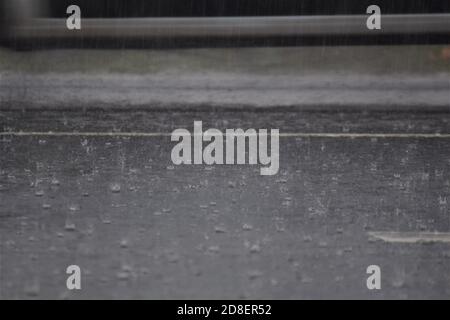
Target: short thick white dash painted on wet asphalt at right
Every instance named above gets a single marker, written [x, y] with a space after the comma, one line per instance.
[411, 237]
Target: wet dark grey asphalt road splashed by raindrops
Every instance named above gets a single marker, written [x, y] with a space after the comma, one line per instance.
[140, 227]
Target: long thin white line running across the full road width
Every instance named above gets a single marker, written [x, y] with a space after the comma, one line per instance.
[281, 135]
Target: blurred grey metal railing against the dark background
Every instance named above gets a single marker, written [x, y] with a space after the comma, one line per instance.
[129, 28]
